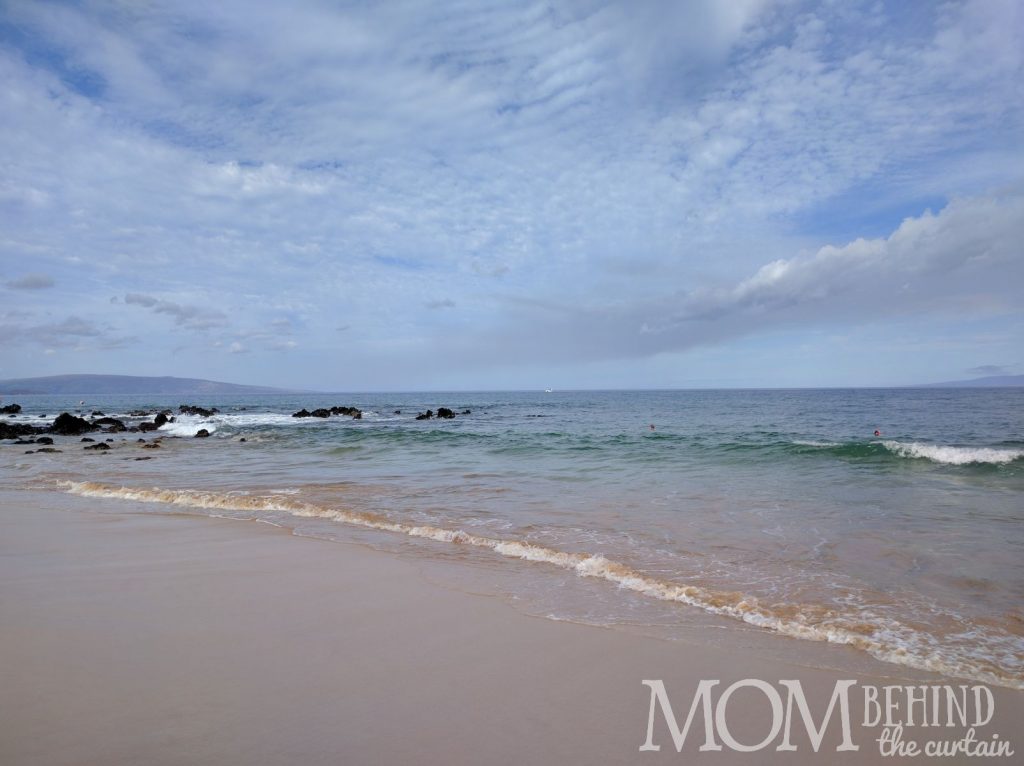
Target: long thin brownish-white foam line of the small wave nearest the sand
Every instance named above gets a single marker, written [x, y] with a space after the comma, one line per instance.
[884, 640]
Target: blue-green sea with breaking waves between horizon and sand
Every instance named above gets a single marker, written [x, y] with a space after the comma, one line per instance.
[772, 510]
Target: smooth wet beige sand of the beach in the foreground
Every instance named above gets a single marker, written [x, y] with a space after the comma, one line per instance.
[170, 640]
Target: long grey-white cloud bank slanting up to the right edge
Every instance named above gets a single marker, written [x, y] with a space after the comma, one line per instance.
[964, 261]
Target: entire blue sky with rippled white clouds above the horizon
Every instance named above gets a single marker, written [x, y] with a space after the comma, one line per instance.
[453, 196]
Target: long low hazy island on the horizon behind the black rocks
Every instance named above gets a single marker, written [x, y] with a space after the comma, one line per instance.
[126, 385]
